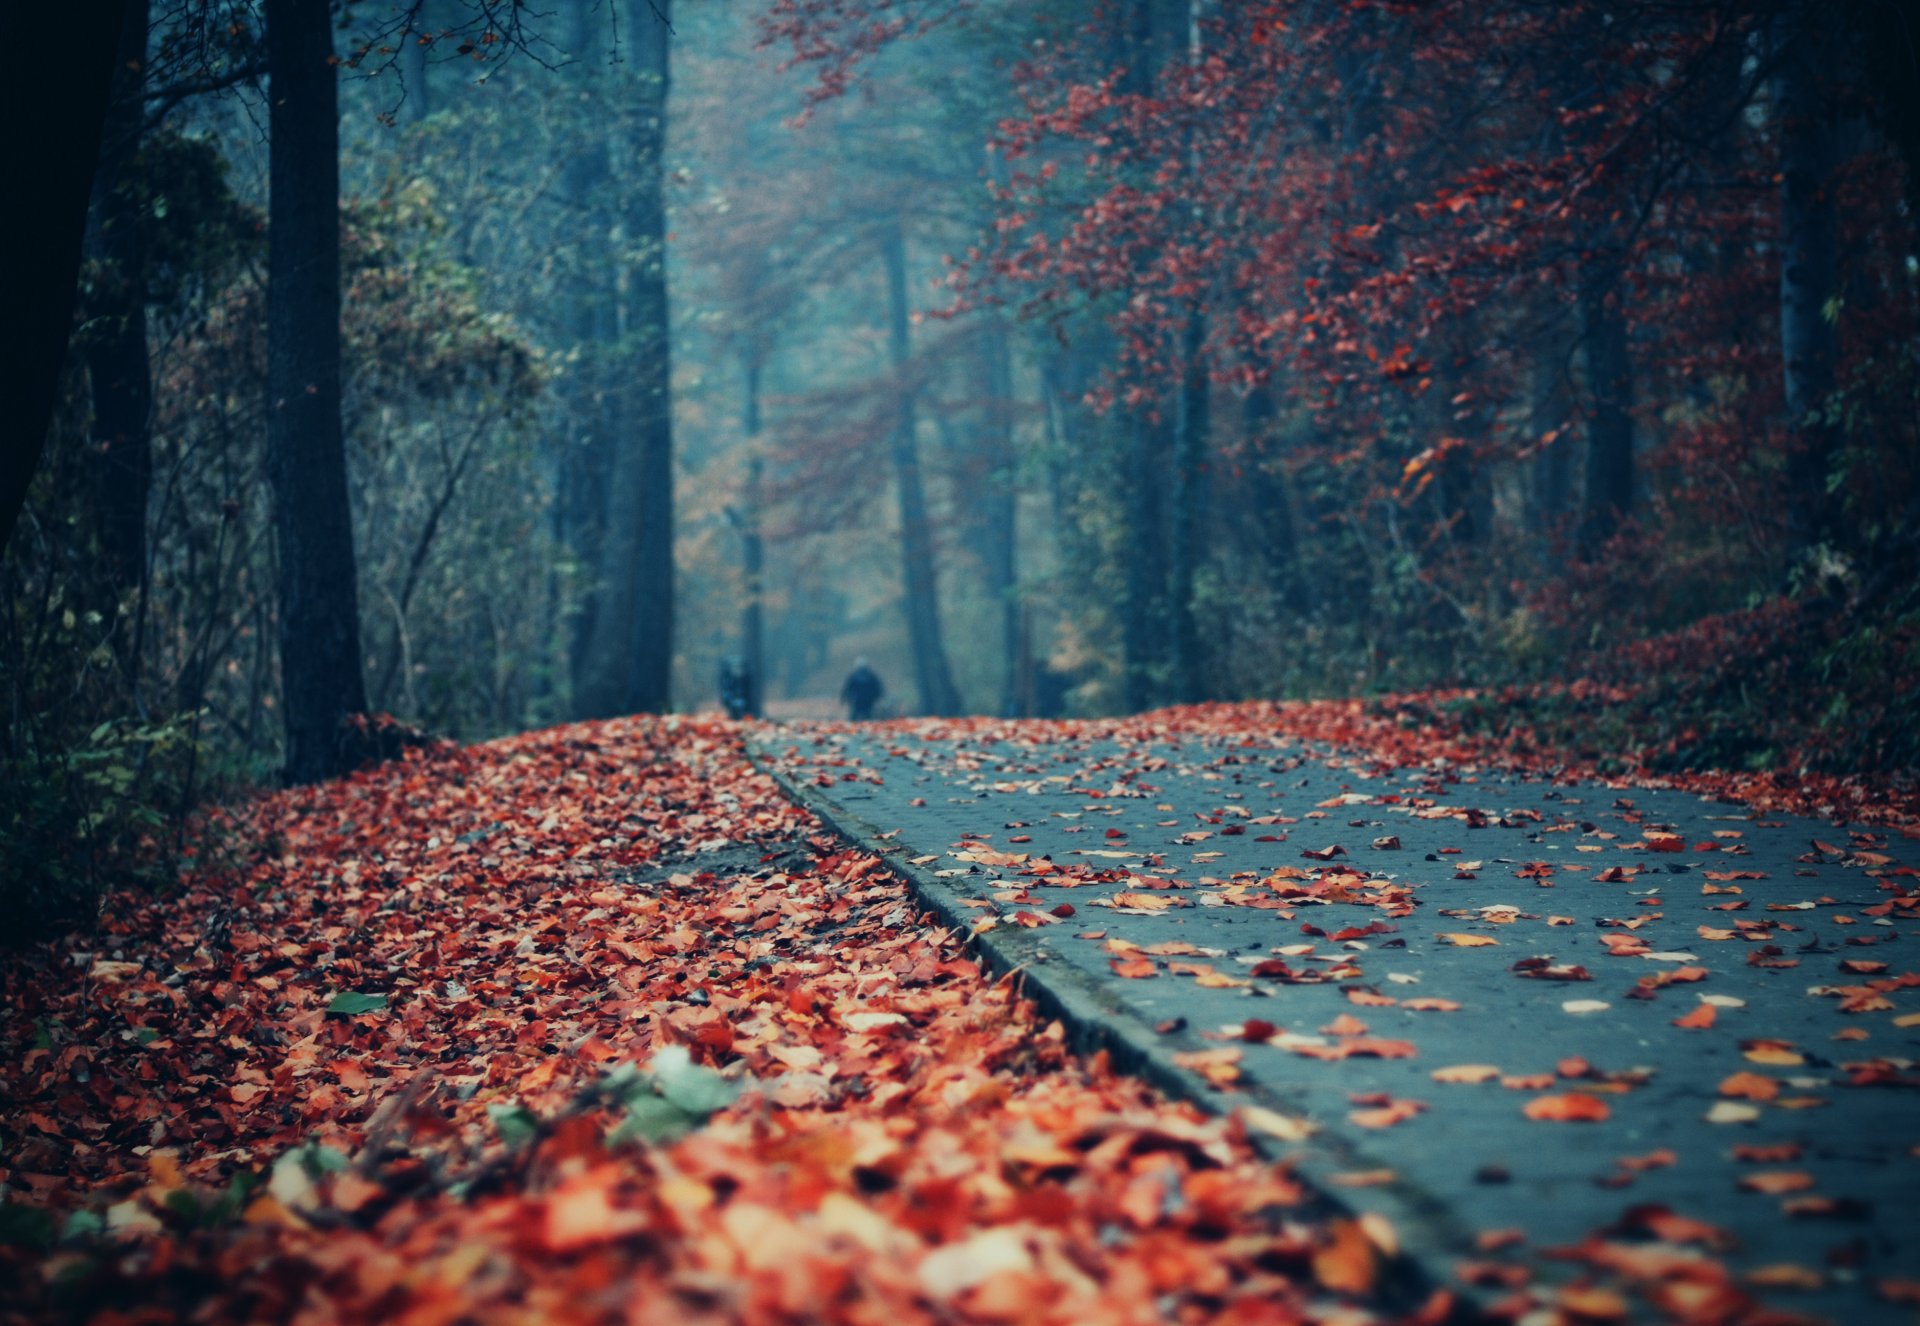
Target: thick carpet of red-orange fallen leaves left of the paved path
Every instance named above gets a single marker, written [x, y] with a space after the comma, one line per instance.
[594, 1026]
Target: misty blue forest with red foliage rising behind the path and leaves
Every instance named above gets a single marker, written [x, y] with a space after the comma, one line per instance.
[1548, 367]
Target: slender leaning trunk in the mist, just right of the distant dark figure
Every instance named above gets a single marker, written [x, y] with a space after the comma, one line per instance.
[932, 675]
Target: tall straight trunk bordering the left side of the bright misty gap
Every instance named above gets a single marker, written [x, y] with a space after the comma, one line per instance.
[648, 369]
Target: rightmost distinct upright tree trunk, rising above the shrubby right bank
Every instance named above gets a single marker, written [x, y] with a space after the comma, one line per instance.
[1810, 268]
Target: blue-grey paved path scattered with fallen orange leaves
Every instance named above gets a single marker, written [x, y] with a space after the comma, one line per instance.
[1545, 1030]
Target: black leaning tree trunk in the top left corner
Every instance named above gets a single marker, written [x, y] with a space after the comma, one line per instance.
[57, 70]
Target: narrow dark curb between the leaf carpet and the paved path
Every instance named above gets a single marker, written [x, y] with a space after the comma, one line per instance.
[1429, 1233]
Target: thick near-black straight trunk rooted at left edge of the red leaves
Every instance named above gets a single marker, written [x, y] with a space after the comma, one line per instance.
[306, 460]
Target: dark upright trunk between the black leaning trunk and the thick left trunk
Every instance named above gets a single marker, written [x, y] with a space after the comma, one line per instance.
[120, 375]
